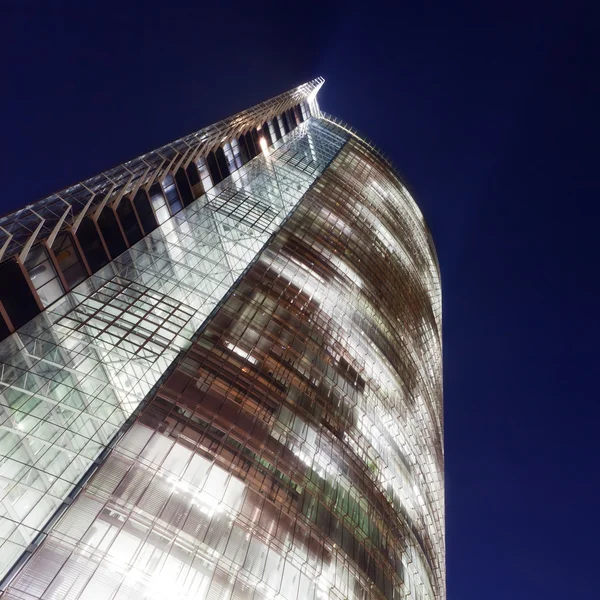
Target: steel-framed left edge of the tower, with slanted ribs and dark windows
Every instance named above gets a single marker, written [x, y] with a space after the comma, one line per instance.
[80, 229]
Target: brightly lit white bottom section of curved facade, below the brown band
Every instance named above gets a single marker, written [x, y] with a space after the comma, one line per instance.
[161, 520]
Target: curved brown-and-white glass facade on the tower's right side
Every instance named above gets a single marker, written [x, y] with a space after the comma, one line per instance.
[296, 451]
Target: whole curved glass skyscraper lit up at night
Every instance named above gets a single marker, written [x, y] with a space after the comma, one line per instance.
[221, 374]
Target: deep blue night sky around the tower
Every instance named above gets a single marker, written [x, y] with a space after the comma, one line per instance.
[490, 110]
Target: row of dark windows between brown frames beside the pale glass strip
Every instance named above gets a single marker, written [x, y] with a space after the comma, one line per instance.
[119, 225]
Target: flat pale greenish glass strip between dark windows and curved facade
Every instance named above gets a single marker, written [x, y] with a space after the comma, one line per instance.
[72, 376]
